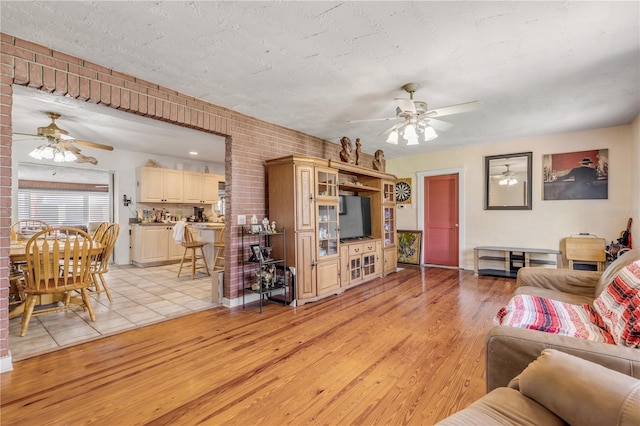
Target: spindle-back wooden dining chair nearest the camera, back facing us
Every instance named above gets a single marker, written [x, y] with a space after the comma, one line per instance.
[57, 263]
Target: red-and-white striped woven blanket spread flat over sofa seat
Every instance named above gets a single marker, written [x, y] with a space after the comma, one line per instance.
[552, 316]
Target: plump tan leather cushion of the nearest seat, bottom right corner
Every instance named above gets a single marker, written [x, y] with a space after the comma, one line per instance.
[581, 392]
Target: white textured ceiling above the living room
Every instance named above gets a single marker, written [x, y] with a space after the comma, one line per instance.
[538, 67]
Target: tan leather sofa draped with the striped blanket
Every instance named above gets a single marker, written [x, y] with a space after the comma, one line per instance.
[511, 349]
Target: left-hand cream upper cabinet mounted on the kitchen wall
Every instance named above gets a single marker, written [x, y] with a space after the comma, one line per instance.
[159, 185]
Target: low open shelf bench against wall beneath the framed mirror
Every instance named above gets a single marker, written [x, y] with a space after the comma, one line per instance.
[506, 261]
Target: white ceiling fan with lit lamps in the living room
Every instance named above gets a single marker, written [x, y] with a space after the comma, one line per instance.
[414, 118]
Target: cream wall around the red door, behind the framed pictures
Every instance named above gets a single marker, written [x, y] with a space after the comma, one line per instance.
[549, 221]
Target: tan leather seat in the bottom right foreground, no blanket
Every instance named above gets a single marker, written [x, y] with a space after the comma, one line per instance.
[557, 389]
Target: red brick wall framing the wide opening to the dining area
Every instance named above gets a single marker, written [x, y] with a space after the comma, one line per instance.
[249, 141]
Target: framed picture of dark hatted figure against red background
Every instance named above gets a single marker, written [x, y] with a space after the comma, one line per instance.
[580, 175]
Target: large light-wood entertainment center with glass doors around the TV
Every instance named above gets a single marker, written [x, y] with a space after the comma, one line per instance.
[304, 198]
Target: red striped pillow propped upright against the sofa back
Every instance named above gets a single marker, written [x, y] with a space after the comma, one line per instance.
[619, 306]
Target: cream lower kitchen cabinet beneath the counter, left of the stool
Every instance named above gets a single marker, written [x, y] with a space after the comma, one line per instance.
[154, 245]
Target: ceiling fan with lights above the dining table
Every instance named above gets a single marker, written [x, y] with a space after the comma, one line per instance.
[59, 146]
